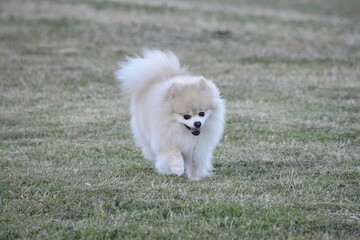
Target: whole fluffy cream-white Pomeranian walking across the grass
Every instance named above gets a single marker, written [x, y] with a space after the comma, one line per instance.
[177, 119]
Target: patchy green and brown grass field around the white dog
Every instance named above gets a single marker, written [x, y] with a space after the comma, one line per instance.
[288, 166]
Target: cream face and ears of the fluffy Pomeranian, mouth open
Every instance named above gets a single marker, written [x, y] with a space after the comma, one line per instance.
[191, 105]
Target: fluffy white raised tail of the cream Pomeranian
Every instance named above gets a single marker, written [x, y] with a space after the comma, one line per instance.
[153, 65]
